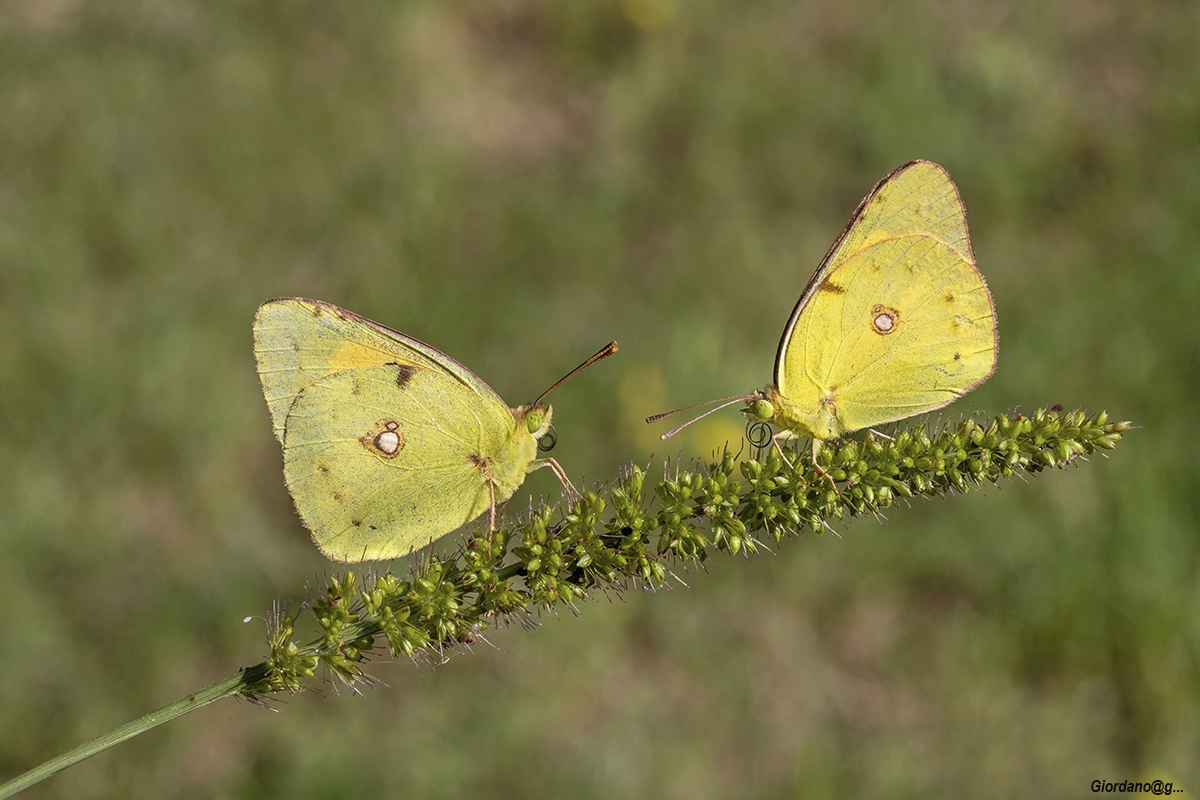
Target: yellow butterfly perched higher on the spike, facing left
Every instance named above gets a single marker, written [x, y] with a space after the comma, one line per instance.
[895, 323]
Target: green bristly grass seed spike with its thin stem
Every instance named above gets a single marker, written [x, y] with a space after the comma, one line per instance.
[633, 532]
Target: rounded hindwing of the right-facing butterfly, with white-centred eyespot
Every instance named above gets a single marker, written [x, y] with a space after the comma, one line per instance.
[382, 461]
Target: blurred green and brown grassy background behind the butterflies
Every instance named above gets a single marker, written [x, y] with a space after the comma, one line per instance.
[517, 183]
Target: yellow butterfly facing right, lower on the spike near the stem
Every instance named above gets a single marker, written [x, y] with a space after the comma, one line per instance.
[388, 443]
